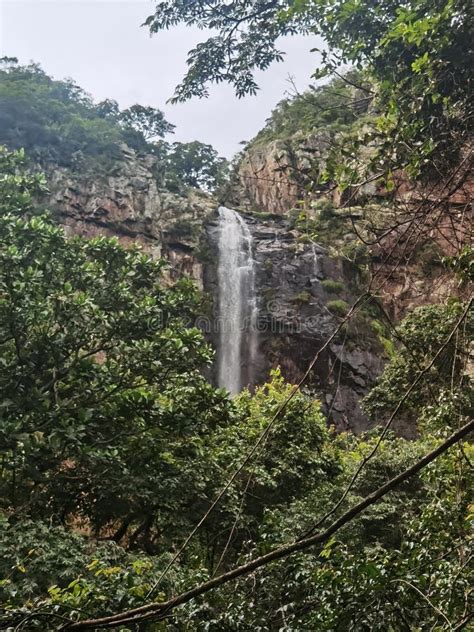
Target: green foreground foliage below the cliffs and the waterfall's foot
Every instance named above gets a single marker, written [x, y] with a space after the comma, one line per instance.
[113, 446]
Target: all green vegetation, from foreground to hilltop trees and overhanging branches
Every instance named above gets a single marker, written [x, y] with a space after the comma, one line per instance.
[134, 494]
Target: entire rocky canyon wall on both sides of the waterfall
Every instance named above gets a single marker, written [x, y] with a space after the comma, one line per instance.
[305, 283]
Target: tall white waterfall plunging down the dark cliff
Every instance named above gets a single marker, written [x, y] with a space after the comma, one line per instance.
[237, 303]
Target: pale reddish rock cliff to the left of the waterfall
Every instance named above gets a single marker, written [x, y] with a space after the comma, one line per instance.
[129, 204]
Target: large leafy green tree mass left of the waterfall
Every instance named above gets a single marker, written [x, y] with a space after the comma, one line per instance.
[103, 402]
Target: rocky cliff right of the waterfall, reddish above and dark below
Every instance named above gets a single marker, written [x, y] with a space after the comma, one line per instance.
[305, 288]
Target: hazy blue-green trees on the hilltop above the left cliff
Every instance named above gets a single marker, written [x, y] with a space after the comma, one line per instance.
[57, 123]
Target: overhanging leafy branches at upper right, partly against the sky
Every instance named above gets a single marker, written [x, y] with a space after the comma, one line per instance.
[417, 57]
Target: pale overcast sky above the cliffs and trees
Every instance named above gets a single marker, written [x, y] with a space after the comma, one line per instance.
[100, 44]
